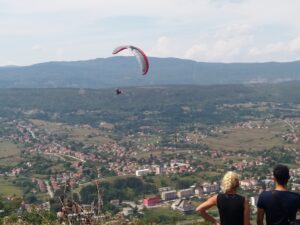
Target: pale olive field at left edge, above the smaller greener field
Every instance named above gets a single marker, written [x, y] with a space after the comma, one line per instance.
[9, 153]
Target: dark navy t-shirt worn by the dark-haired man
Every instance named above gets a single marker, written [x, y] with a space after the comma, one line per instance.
[284, 205]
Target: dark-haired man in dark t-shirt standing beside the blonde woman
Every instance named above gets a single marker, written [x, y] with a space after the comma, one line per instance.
[280, 205]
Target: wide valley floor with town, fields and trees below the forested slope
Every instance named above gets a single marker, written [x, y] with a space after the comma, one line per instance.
[123, 167]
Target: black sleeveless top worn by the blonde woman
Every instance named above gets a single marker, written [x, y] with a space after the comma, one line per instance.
[231, 209]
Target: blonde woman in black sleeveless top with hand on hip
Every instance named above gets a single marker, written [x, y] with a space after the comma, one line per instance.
[233, 208]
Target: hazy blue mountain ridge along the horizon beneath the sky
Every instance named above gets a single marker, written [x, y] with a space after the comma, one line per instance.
[124, 71]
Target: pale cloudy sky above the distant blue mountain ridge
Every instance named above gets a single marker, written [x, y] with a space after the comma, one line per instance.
[34, 31]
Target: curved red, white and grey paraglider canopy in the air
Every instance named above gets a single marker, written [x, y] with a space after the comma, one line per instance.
[139, 54]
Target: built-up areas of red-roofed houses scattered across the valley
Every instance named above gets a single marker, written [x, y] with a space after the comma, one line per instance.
[121, 161]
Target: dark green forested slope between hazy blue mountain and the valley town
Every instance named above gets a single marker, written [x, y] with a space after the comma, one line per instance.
[167, 106]
